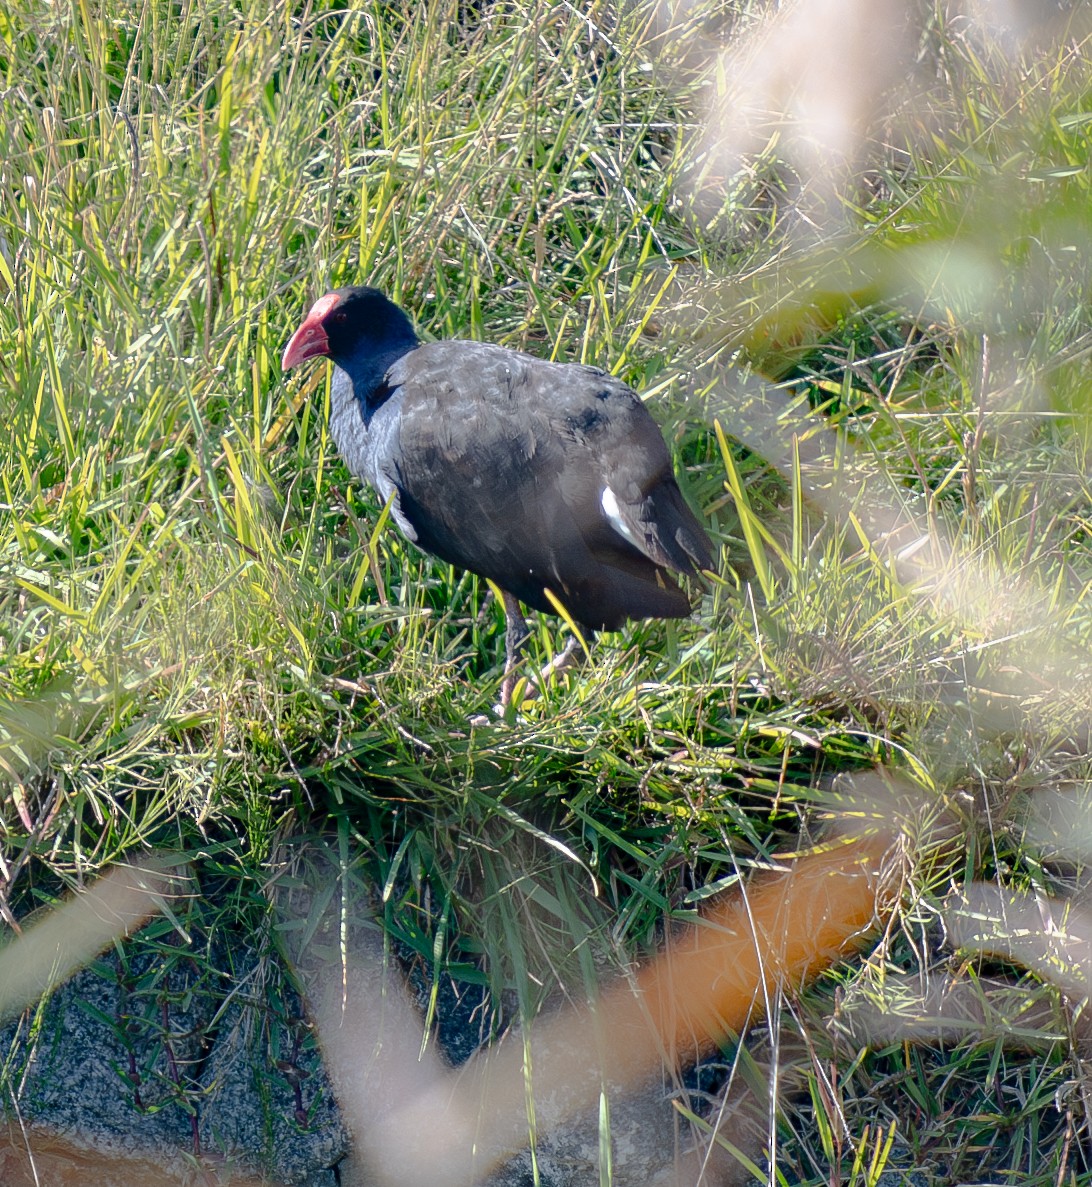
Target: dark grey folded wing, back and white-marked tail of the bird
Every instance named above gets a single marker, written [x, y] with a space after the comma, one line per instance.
[538, 477]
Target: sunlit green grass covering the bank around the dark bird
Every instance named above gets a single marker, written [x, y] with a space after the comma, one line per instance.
[212, 642]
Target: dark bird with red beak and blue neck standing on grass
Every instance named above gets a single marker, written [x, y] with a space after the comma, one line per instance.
[550, 480]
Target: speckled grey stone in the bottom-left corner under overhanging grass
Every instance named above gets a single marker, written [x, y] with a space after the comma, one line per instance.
[156, 1059]
